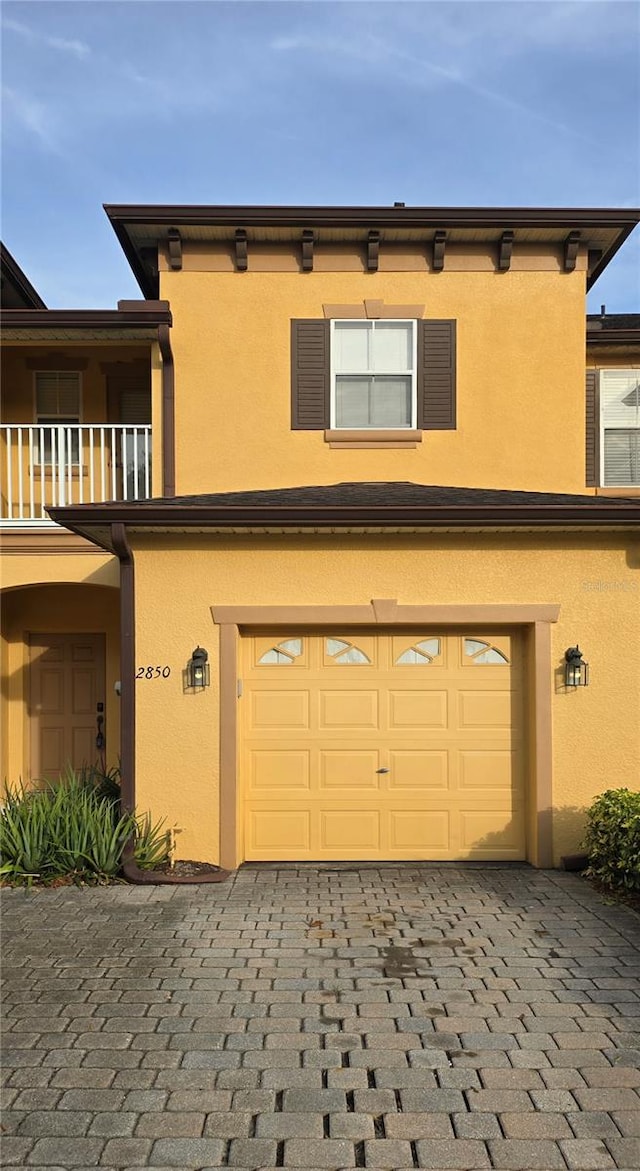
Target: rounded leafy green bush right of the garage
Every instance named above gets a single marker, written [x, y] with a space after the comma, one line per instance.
[613, 839]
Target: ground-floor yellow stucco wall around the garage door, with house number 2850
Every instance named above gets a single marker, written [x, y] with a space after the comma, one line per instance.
[596, 730]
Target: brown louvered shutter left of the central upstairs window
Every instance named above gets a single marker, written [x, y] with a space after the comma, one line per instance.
[311, 368]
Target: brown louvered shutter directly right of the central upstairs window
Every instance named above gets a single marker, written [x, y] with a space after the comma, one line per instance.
[437, 375]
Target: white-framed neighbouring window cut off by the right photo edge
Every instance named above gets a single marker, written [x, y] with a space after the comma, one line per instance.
[621, 427]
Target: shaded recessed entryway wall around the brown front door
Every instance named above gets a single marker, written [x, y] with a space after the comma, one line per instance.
[86, 608]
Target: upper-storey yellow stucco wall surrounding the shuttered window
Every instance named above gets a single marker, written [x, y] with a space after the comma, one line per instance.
[521, 380]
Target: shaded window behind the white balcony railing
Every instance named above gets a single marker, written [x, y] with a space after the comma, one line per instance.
[58, 406]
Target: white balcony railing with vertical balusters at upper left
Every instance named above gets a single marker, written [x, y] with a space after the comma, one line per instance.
[75, 464]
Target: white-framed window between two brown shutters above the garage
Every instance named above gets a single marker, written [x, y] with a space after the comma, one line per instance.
[374, 375]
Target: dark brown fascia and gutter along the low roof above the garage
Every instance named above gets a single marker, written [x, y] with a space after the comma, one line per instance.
[604, 511]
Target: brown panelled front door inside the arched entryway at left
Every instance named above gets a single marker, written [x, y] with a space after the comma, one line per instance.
[67, 688]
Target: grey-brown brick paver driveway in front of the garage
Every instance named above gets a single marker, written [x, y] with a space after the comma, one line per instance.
[325, 1017]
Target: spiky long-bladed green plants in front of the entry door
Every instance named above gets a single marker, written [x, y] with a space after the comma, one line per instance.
[73, 830]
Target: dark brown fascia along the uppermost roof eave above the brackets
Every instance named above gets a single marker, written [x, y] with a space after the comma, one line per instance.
[123, 216]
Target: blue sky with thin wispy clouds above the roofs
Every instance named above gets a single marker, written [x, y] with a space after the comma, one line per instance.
[464, 102]
